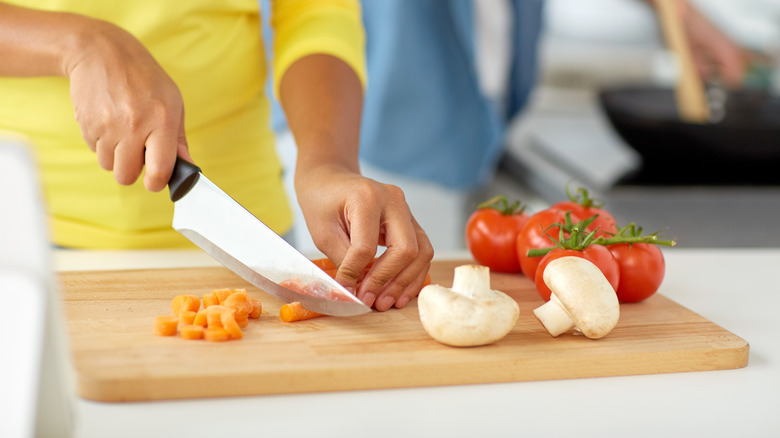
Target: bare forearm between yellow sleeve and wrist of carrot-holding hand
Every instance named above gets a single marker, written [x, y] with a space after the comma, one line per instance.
[323, 101]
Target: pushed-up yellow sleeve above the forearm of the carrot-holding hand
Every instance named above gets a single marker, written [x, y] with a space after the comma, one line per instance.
[305, 27]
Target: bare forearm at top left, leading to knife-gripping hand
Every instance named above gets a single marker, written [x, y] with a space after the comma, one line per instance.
[37, 43]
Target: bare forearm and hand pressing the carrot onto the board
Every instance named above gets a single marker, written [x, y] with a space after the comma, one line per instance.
[349, 215]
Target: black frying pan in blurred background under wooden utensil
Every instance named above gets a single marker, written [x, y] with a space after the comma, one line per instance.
[742, 148]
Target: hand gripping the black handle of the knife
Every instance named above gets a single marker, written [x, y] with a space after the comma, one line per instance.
[130, 111]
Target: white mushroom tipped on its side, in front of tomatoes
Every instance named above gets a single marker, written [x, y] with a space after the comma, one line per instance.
[582, 298]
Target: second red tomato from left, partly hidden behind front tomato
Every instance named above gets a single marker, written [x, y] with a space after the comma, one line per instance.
[536, 235]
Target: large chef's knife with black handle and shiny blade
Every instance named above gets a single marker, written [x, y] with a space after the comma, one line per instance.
[221, 227]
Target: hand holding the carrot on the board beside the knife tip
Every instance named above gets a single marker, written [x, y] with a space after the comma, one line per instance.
[349, 216]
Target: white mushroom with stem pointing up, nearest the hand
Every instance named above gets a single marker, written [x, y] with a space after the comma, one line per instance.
[468, 314]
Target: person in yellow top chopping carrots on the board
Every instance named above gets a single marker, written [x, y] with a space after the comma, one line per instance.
[128, 70]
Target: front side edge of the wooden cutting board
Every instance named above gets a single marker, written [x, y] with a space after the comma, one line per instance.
[133, 390]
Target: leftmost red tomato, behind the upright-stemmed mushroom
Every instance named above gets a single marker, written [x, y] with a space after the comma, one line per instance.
[491, 236]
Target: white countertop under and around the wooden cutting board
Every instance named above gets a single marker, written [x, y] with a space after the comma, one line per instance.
[736, 289]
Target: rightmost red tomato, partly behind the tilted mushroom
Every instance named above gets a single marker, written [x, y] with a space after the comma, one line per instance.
[642, 269]
